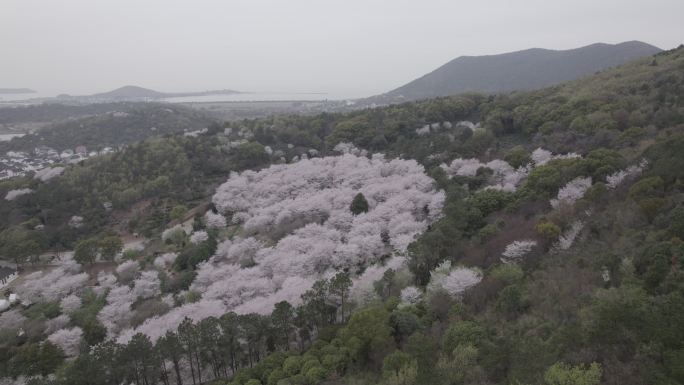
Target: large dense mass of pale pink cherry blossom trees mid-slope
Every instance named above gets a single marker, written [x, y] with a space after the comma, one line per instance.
[297, 227]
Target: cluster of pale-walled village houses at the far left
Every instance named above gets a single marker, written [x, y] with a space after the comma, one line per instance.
[18, 163]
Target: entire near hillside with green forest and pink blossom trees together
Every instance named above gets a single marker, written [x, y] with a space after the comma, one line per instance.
[537, 238]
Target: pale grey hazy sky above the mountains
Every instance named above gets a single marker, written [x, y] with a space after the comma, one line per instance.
[345, 47]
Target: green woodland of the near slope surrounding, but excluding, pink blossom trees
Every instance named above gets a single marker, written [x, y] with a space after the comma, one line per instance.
[598, 298]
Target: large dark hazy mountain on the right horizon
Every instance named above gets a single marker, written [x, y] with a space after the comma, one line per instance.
[521, 70]
